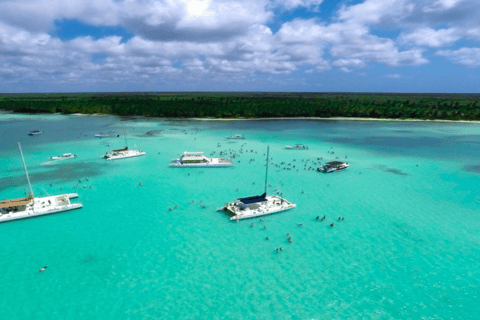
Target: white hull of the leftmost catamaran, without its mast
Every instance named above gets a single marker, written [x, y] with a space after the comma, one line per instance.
[43, 206]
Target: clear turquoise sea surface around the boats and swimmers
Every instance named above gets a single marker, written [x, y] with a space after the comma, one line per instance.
[407, 249]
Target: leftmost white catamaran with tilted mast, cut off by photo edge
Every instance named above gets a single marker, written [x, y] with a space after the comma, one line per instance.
[32, 206]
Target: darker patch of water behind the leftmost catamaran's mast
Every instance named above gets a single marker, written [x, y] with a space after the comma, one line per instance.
[56, 174]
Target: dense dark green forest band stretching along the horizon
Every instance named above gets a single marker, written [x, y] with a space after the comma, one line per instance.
[251, 105]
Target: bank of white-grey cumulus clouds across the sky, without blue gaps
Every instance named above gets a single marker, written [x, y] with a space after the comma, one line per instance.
[225, 39]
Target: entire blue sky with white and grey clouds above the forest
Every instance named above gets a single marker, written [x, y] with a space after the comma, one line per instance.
[233, 45]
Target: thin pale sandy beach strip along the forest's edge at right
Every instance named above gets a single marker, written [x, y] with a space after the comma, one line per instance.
[333, 119]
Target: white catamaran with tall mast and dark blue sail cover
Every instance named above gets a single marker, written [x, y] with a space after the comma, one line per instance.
[257, 206]
